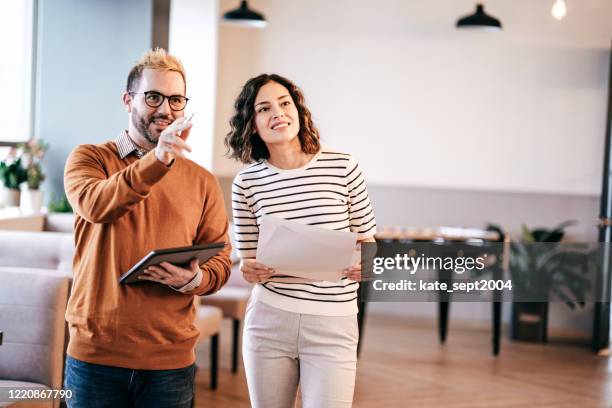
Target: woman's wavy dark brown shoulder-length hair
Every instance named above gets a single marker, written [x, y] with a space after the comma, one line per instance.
[243, 143]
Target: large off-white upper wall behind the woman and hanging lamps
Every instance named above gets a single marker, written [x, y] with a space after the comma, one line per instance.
[422, 104]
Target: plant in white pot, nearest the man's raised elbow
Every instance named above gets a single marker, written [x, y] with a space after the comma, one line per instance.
[32, 154]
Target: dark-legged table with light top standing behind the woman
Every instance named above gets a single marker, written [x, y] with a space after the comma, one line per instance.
[465, 238]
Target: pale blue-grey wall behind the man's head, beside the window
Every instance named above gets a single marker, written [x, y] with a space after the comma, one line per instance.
[85, 51]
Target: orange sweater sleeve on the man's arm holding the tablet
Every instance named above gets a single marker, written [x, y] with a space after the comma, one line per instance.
[213, 228]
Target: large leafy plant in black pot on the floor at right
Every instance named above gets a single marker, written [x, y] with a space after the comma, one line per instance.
[541, 266]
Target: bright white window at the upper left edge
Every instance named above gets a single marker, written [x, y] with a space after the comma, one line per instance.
[16, 60]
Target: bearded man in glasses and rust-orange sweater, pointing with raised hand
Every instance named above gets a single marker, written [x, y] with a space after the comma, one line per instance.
[133, 345]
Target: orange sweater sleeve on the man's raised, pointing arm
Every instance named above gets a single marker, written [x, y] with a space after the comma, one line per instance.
[102, 198]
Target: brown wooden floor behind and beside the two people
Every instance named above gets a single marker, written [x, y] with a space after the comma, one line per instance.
[402, 365]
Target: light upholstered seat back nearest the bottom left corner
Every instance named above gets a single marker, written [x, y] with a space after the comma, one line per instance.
[35, 276]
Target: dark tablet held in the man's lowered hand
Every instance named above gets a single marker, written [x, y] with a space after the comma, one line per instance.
[176, 256]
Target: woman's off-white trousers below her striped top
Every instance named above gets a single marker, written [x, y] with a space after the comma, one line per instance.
[282, 350]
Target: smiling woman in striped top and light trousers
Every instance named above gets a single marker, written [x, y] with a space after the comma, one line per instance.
[296, 332]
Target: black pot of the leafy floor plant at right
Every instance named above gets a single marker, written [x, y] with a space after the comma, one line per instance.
[530, 321]
